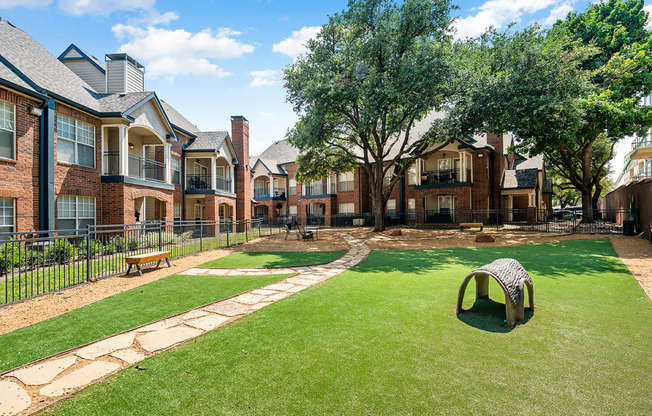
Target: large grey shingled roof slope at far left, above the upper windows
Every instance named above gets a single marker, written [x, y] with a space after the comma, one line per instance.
[34, 61]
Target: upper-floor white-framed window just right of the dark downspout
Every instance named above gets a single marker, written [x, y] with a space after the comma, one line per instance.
[75, 141]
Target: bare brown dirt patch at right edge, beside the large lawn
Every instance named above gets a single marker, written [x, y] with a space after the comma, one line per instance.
[636, 253]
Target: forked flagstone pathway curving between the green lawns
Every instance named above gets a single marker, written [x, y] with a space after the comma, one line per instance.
[32, 387]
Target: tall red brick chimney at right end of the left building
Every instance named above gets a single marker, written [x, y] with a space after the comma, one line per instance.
[240, 138]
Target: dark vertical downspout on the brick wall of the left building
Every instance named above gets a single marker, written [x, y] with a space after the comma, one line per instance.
[46, 171]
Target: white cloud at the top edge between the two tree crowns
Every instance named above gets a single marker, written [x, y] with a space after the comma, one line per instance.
[496, 13]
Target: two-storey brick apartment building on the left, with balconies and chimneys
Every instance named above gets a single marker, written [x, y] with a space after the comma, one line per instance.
[82, 142]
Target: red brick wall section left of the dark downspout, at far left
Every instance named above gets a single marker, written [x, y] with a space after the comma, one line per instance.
[19, 179]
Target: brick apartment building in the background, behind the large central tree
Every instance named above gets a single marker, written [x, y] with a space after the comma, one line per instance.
[472, 174]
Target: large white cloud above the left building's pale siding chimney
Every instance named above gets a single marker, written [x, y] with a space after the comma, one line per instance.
[171, 53]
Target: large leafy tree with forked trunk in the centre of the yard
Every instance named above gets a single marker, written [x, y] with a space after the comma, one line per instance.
[372, 72]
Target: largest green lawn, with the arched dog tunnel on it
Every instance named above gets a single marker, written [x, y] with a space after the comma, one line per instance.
[383, 339]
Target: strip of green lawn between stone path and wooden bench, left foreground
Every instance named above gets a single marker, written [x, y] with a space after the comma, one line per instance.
[117, 313]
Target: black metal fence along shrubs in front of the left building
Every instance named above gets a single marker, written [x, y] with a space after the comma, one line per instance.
[35, 263]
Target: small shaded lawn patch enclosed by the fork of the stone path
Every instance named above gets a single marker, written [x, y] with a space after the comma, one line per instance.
[273, 259]
